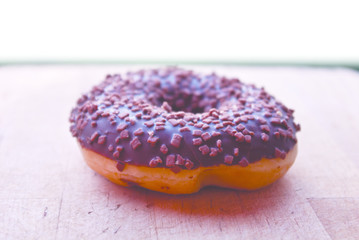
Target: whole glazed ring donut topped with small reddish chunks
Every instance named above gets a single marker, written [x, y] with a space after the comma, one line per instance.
[175, 131]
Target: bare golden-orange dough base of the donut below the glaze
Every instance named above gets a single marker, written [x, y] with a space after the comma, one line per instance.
[252, 177]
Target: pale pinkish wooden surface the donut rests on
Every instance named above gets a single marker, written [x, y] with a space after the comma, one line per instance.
[47, 191]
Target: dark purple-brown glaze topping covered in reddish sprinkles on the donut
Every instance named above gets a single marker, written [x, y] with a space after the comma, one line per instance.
[186, 120]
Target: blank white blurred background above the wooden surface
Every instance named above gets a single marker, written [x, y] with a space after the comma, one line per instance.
[180, 32]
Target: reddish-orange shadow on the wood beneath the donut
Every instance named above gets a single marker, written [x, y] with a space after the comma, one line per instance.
[211, 202]
